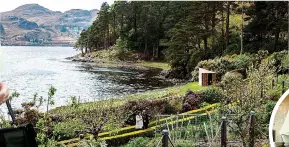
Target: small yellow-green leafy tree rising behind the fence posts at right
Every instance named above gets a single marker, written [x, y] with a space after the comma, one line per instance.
[247, 95]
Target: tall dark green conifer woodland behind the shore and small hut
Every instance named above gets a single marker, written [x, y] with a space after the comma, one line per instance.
[184, 33]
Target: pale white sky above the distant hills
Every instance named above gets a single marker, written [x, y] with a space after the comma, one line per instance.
[55, 5]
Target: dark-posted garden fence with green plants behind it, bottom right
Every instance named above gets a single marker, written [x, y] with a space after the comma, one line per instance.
[198, 132]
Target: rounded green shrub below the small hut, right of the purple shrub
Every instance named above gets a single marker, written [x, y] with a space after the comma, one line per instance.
[212, 95]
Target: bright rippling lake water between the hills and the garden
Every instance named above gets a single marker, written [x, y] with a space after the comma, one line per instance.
[28, 70]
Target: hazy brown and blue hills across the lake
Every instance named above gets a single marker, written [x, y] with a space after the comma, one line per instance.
[33, 24]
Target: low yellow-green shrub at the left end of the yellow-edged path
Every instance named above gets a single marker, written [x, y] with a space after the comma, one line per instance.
[68, 129]
